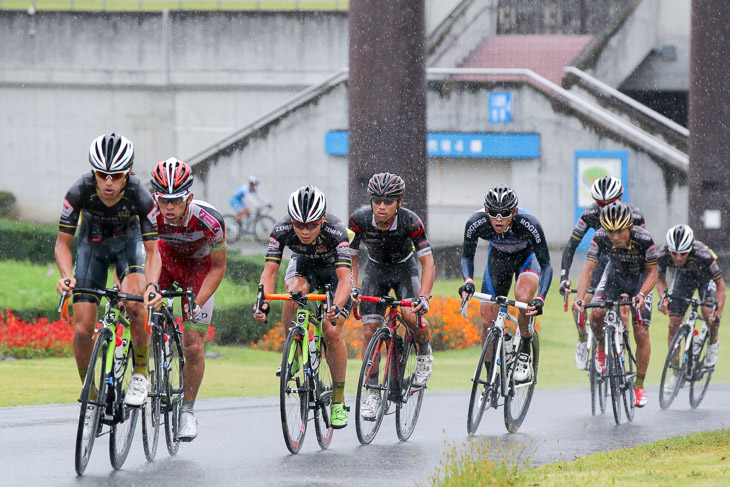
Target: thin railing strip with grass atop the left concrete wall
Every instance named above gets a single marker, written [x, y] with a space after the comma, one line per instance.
[159, 5]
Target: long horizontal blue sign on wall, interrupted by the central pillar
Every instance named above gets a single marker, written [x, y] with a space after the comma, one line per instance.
[454, 144]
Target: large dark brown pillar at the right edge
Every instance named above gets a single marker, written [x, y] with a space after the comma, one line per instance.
[709, 125]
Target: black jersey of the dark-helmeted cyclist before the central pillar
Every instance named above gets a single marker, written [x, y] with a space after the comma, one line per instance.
[391, 246]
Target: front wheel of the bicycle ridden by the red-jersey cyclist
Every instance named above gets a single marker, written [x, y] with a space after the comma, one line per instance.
[152, 407]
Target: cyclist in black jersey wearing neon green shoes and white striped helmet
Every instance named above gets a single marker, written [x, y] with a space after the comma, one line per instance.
[320, 255]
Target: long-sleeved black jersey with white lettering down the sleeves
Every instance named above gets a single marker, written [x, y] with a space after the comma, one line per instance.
[525, 233]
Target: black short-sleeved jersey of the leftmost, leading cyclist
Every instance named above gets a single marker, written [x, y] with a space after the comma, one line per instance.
[100, 222]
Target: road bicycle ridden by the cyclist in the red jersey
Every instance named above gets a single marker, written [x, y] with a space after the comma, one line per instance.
[165, 366]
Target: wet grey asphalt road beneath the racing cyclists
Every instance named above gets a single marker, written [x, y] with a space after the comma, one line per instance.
[240, 442]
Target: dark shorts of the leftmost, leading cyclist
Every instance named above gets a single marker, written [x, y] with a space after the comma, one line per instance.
[93, 259]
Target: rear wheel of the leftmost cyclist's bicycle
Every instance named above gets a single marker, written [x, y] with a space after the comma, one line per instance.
[125, 417]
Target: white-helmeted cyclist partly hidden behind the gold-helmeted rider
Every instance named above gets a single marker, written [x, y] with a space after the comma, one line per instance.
[604, 190]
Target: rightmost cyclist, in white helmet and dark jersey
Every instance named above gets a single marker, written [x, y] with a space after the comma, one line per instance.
[695, 267]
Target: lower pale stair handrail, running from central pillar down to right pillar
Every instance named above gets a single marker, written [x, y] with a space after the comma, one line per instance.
[677, 158]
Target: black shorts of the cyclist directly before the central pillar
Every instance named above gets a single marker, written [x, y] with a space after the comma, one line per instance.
[380, 279]
